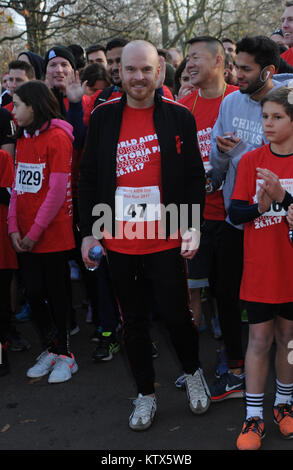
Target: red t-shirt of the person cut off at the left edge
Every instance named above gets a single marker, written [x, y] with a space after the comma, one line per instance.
[8, 259]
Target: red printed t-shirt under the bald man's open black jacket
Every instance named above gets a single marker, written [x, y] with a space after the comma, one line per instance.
[138, 184]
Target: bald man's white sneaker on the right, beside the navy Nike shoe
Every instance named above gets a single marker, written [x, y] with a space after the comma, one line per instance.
[198, 393]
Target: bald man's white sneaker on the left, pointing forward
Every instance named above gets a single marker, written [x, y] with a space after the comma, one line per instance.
[144, 412]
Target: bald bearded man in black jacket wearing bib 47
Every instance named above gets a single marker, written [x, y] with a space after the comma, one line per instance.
[142, 157]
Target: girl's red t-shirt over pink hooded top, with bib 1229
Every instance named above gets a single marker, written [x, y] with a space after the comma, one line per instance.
[41, 201]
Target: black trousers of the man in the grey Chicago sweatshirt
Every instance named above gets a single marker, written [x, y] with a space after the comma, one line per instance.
[231, 262]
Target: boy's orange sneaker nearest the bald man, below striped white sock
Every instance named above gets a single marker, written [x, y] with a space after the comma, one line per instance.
[251, 435]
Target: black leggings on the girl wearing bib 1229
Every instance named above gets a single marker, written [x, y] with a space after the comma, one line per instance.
[46, 278]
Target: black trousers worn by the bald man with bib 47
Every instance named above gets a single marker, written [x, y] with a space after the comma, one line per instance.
[154, 280]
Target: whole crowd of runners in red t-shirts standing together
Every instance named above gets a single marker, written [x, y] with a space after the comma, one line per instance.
[179, 168]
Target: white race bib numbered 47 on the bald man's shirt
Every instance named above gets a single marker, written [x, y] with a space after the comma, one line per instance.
[137, 204]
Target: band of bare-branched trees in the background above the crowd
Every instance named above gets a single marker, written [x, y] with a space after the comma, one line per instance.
[167, 23]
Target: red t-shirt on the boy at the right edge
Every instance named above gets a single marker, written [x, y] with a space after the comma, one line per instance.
[268, 252]
